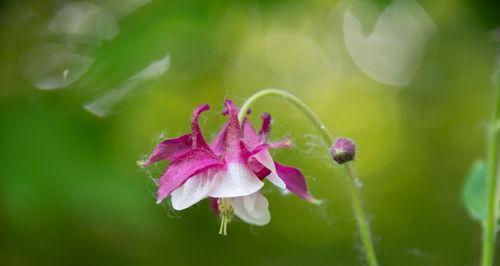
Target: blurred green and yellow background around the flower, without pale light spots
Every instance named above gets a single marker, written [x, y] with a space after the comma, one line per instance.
[72, 194]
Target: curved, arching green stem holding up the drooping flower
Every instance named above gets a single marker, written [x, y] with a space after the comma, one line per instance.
[328, 138]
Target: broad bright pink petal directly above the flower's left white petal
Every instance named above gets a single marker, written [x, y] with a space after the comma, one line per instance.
[184, 167]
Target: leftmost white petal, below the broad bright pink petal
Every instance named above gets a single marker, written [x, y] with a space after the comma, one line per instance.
[194, 190]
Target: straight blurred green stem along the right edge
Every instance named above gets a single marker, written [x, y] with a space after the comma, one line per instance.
[490, 225]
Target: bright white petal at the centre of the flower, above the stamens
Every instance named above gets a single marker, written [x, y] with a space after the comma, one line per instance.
[235, 181]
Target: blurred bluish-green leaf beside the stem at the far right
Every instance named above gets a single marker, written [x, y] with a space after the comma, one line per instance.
[475, 193]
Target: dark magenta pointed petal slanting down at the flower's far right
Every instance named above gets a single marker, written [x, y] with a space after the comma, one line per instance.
[294, 180]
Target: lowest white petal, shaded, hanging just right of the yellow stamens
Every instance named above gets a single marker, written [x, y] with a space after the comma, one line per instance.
[253, 209]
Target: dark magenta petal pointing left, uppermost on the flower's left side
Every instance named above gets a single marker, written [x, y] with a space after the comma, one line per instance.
[170, 149]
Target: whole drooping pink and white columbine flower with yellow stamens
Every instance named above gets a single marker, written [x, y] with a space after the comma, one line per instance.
[230, 170]
